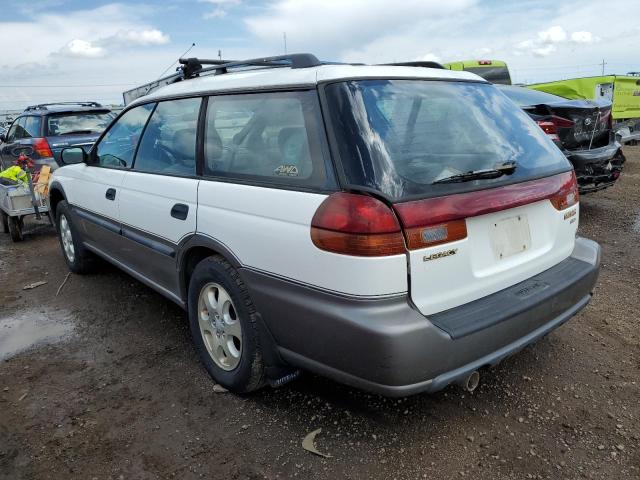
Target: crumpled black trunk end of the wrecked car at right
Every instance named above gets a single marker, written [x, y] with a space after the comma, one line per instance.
[578, 124]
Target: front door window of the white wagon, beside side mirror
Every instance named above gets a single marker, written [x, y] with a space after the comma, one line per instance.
[117, 148]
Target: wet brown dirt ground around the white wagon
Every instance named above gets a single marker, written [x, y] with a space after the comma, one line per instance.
[102, 382]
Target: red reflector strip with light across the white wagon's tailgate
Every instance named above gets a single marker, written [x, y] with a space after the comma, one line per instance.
[420, 216]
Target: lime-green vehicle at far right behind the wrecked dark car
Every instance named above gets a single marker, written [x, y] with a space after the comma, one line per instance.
[622, 90]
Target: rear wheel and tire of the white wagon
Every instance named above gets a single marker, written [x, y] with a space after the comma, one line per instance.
[219, 303]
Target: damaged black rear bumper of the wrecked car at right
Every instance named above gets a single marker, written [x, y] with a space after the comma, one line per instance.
[597, 168]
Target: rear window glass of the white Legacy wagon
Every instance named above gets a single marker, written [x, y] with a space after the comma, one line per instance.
[400, 136]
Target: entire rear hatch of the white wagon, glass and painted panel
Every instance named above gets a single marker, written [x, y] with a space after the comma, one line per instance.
[485, 200]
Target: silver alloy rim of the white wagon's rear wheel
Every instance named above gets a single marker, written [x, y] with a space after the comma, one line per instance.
[220, 326]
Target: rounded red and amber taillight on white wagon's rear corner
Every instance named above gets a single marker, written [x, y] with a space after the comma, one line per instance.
[356, 225]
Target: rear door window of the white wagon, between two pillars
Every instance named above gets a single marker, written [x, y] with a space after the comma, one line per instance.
[168, 143]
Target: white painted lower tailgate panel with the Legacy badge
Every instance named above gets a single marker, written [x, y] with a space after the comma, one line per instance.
[476, 270]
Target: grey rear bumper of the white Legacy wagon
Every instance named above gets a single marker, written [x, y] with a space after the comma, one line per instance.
[388, 347]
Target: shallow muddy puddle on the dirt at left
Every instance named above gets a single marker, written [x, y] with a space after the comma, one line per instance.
[23, 330]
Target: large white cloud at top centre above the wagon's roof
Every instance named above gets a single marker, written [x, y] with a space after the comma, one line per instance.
[349, 29]
